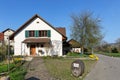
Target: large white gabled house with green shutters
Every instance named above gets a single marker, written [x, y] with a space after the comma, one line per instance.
[38, 37]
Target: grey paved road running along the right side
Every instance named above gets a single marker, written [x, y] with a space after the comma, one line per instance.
[107, 68]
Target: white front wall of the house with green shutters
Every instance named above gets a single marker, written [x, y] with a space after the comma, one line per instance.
[55, 36]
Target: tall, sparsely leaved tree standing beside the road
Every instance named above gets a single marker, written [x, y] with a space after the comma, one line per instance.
[86, 30]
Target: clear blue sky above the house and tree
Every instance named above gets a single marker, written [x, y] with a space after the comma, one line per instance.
[14, 13]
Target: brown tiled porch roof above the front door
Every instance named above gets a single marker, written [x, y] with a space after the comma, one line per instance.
[36, 40]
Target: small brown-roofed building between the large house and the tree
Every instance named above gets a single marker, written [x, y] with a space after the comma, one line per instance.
[75, 46]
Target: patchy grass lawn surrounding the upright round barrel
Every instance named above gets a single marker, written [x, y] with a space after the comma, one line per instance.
[61, 68]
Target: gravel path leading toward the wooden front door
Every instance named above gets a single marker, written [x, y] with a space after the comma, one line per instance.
[37, 70]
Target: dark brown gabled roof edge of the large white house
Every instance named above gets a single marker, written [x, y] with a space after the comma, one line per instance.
[29, 21]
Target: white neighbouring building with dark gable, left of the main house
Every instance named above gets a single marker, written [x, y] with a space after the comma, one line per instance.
[7, 33]
